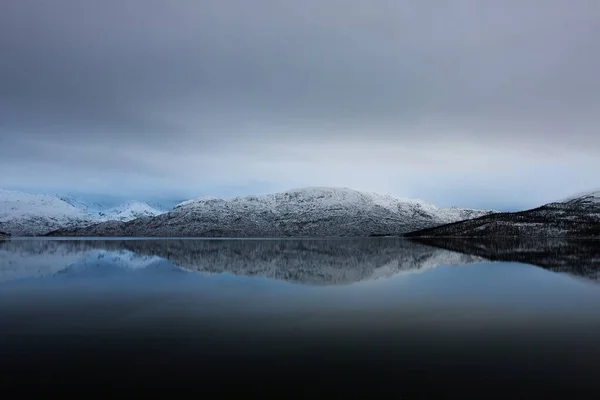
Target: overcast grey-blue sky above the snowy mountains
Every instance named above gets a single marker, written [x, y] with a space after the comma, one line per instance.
[474, 103]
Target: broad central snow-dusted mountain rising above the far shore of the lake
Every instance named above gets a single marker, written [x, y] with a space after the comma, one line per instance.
[310, 212]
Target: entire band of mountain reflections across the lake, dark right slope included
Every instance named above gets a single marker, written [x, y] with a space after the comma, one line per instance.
[313, 262]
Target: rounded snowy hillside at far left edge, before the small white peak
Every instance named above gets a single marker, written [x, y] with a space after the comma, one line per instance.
[25, 214]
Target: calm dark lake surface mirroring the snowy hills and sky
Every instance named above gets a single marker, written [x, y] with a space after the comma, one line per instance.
[300, 317]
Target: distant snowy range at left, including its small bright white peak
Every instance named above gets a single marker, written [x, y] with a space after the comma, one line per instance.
[26, 214]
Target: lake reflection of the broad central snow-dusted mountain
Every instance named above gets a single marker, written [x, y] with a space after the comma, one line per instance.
[317, 262]
